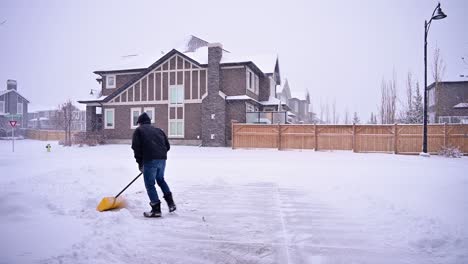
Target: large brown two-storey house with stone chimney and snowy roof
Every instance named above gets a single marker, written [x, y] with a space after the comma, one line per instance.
[193, 94]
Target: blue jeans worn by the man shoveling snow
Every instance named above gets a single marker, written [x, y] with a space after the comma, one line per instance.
[153, 170]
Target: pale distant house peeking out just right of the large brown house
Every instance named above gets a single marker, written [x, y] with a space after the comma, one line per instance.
[299, 109]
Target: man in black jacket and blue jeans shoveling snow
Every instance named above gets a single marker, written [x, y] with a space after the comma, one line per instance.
[150, 146]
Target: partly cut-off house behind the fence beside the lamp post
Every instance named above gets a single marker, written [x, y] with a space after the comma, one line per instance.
[448, 102]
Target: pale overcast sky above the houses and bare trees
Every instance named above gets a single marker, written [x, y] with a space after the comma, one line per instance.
[338, 50]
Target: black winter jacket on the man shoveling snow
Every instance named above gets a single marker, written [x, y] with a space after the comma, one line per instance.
[149, 143]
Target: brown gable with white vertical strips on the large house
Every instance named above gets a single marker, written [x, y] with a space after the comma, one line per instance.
[152, 86]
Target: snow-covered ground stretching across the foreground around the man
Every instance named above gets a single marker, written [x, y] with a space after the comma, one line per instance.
[241, 206]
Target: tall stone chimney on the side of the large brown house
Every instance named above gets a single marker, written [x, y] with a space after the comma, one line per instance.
[214, 105]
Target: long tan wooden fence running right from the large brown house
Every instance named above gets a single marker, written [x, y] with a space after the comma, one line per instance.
[397, 138]
